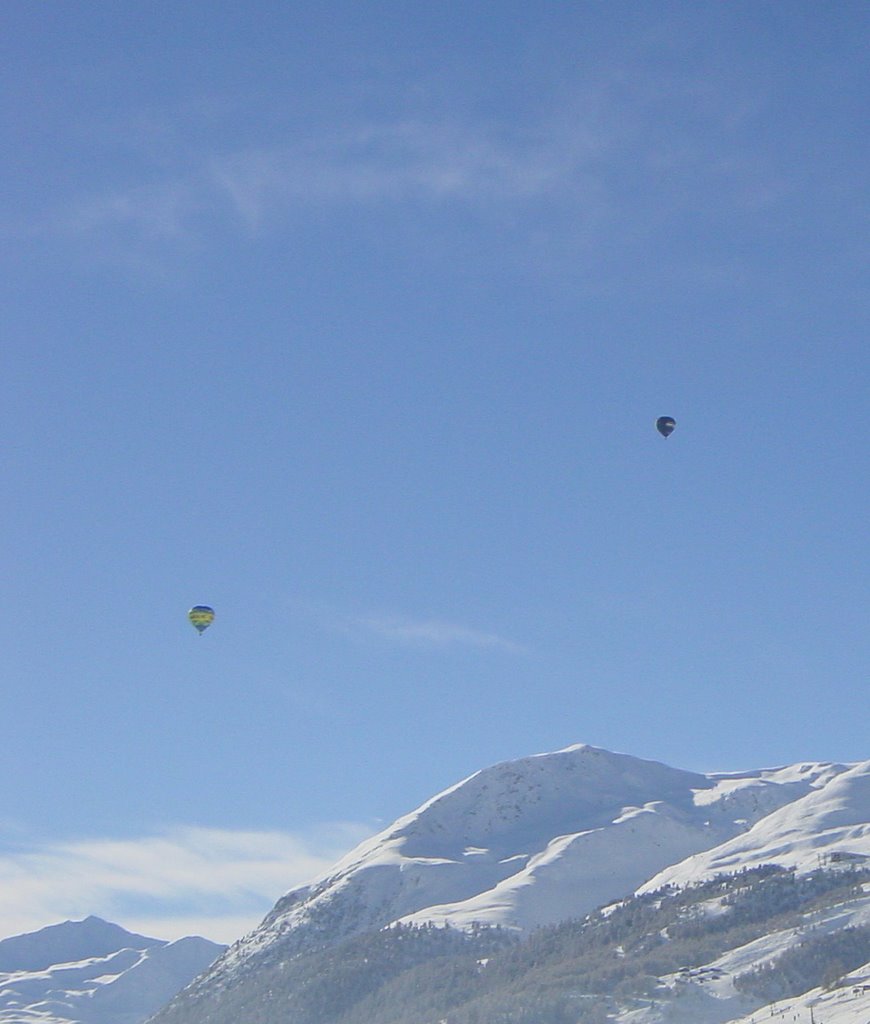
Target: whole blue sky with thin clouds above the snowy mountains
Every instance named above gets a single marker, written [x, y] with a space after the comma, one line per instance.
[354, 322]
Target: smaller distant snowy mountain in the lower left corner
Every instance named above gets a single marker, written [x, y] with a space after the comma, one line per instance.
[93, 972]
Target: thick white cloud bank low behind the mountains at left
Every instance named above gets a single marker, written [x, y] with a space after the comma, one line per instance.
[216, 883]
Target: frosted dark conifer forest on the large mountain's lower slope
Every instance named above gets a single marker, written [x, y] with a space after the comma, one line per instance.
[573, 973]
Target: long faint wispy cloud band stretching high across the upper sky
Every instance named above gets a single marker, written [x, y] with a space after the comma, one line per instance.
[589, 177]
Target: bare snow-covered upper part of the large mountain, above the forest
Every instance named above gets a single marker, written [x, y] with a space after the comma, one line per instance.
[551, 837]
